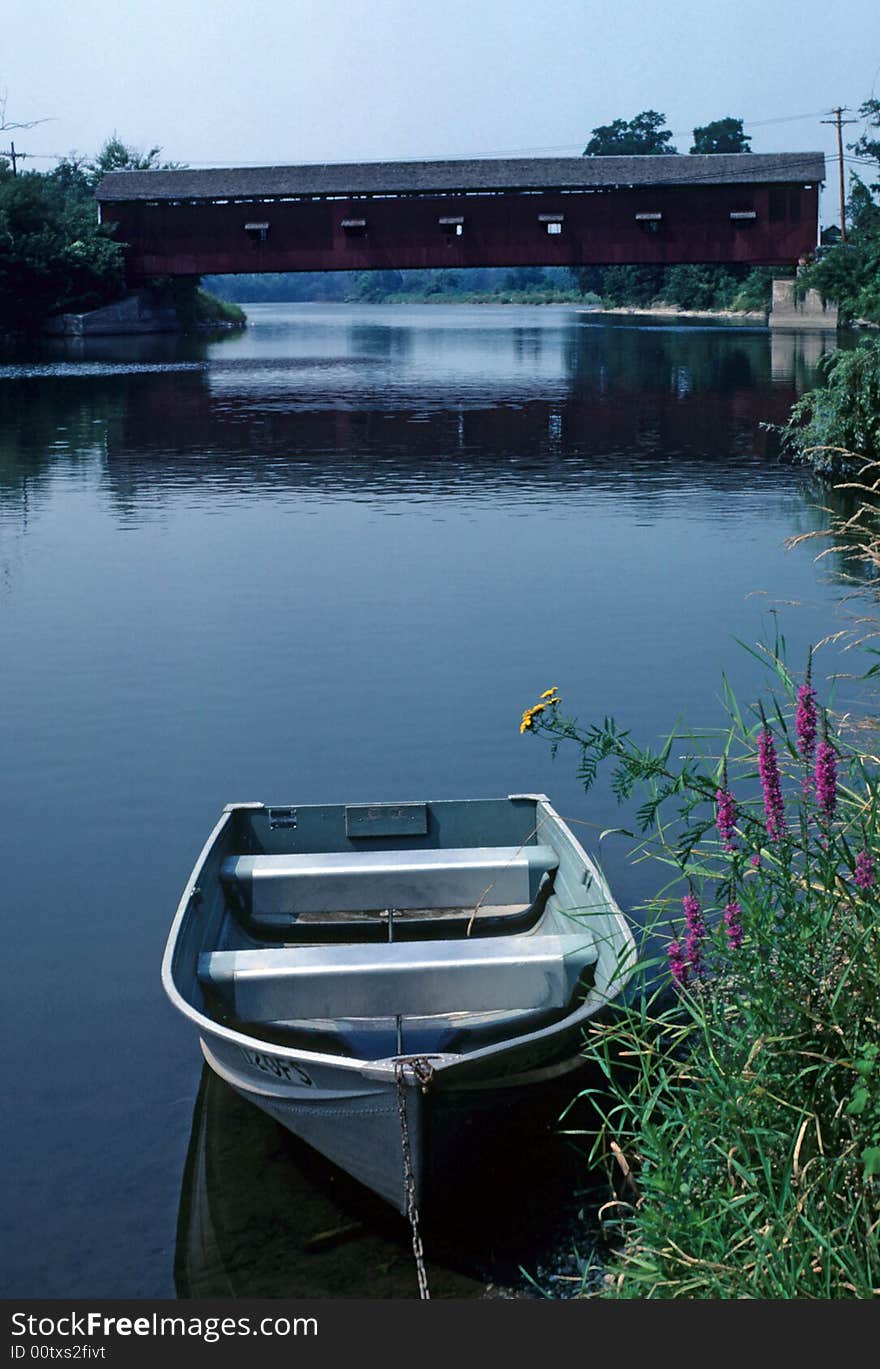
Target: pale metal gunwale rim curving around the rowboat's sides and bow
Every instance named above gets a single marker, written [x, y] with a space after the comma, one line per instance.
[384, 1070]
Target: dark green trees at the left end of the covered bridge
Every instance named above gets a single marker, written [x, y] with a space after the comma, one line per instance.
[54, 255]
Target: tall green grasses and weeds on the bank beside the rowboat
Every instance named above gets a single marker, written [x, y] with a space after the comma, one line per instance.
[740, 1116]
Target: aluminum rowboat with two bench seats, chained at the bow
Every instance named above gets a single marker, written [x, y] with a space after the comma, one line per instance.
[363, 970]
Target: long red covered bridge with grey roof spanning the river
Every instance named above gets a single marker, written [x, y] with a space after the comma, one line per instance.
[751, 209]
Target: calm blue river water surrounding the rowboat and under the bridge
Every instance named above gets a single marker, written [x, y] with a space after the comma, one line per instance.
[333, 559]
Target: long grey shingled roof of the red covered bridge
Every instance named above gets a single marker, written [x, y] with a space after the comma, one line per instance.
[489, 175]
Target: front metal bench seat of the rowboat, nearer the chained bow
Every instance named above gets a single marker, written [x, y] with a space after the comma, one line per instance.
[502, 974]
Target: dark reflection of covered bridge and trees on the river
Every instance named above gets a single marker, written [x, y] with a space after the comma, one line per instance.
[337, 406]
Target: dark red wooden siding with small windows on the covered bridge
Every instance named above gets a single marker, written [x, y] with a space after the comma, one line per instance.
[499, 229]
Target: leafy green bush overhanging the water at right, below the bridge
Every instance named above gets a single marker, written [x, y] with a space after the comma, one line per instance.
[837, 426]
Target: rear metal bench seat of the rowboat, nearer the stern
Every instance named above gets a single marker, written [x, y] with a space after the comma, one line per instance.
[273, 892]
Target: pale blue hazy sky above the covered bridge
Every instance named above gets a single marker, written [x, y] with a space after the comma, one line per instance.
[283, 81]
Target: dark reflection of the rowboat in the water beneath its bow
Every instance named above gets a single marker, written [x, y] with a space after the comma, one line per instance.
[263, 1215]
